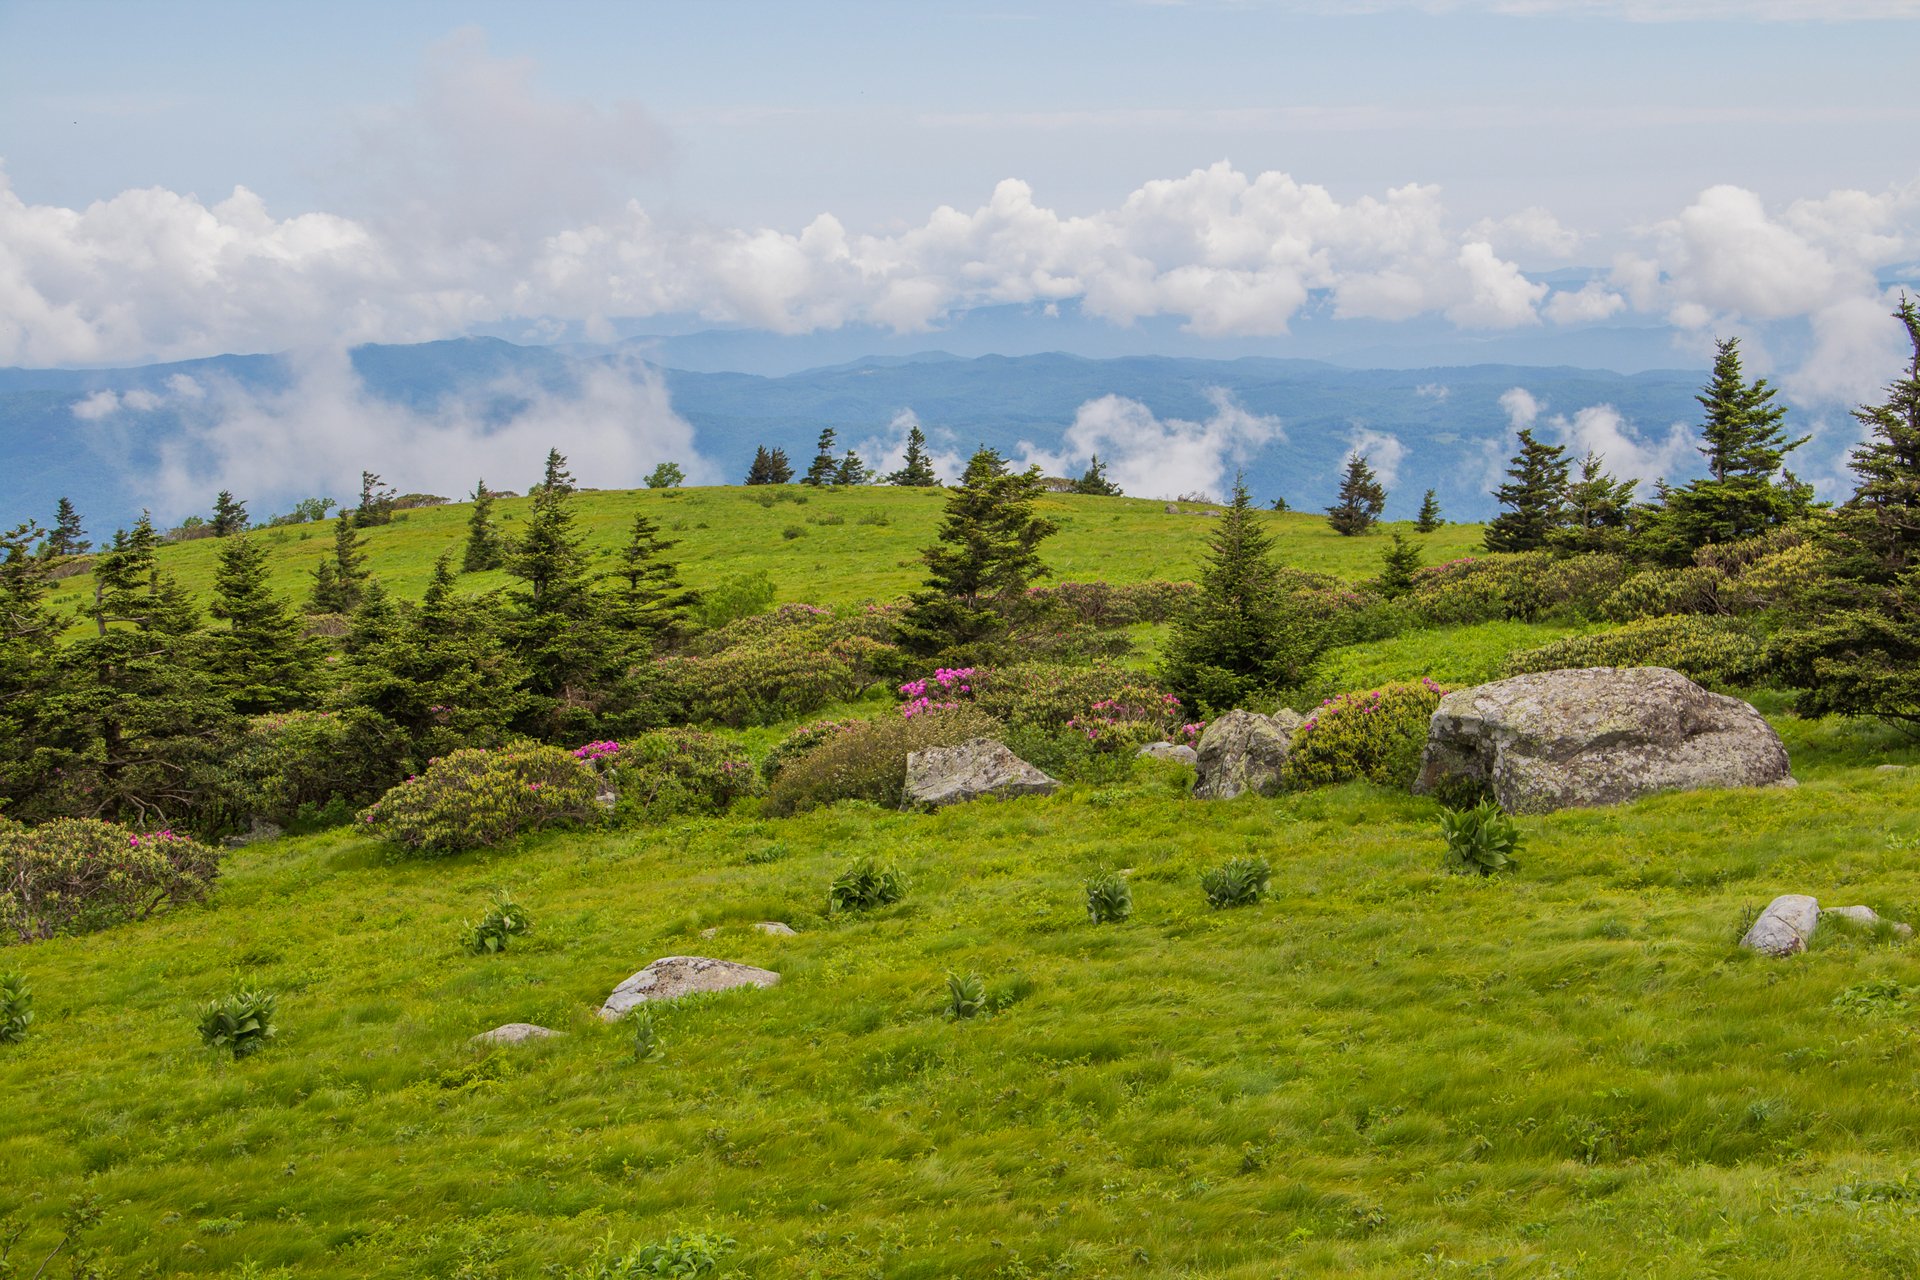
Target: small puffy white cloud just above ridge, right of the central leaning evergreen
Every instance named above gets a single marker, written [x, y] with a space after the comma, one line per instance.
[1159, 458]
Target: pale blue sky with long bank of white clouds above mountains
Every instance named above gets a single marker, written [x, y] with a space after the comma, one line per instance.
[191, 179]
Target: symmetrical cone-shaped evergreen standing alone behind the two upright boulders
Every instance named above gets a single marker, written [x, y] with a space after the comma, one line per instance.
[1239, 638]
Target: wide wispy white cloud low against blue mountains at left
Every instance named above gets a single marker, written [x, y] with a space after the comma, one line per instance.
[324, 427]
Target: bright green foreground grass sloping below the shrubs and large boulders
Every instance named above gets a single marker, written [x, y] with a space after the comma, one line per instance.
[1378, 1072]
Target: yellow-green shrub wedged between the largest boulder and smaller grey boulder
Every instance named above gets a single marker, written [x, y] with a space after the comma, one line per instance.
[1376, 736]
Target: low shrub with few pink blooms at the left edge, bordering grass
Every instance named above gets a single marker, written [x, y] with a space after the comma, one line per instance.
[76, 874]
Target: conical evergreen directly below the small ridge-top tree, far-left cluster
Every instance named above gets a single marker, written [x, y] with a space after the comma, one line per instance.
[260, 663]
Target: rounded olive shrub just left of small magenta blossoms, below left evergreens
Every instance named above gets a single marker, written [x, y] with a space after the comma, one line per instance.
[479, 799]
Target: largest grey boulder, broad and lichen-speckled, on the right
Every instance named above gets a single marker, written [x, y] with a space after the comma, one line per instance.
[1596, 736]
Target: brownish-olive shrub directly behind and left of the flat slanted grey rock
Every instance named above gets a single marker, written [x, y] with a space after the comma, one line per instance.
[869, 761]
